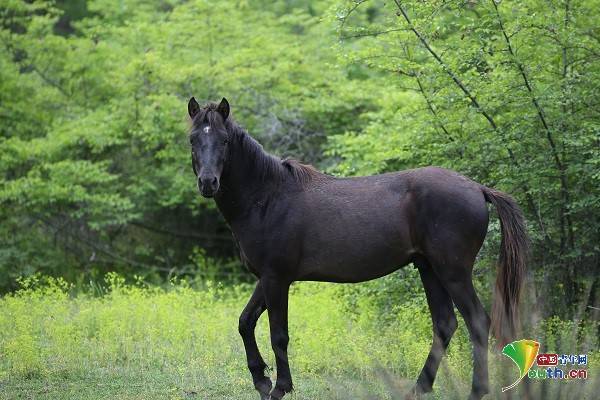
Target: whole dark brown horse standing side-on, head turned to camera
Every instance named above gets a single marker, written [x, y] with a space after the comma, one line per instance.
[294, 223]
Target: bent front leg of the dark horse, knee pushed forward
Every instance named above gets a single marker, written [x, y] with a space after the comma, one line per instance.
[253, 310]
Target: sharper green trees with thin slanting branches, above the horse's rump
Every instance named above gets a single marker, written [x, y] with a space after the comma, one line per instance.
[500, 91]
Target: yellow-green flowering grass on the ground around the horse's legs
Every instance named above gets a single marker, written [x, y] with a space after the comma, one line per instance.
[135, 342]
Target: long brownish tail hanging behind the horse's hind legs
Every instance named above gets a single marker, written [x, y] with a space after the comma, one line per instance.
[511, 266]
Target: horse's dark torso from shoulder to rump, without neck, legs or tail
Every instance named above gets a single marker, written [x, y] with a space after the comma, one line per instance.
[356, 229]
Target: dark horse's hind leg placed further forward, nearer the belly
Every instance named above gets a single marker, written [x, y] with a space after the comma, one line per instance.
[444, 325]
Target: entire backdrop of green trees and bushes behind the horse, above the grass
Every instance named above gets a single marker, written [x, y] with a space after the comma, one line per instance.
[94, 166]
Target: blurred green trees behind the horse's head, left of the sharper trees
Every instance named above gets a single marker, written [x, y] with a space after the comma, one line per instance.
[94, 152]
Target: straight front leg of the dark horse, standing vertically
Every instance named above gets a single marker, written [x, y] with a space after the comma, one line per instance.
[276, 296]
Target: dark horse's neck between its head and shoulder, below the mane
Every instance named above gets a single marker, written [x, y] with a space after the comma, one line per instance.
[250, 176]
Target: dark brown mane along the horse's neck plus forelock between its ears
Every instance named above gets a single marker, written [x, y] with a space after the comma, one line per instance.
[269, 165]
